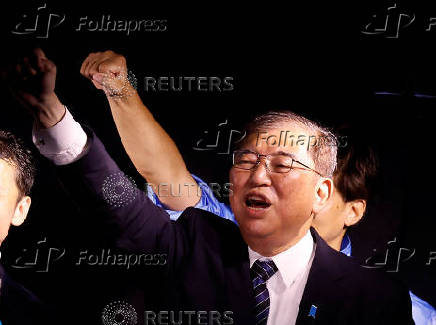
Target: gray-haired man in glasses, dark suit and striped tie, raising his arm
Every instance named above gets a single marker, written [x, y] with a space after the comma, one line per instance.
[273, 268]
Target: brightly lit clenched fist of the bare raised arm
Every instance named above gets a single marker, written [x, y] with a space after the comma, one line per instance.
[108, 72]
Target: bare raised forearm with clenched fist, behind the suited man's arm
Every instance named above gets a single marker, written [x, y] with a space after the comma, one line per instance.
[149, 147]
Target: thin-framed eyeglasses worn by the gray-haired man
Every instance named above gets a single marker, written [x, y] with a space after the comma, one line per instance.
[276, 163]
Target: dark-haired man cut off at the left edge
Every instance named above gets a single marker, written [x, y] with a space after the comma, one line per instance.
[17, 304]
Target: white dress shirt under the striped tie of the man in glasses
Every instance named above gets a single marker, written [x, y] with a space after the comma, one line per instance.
[287, 285]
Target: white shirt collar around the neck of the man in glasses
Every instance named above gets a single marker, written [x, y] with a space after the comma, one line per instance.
[291, 262]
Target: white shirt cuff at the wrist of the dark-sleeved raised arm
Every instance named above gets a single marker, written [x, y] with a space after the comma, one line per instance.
[63, 143]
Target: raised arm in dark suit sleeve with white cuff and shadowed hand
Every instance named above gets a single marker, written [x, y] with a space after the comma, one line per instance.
[85, 168]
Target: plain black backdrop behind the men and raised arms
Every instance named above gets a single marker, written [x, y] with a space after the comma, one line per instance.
[312, 59]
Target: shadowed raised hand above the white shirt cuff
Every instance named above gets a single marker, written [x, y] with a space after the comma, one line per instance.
[32, 82]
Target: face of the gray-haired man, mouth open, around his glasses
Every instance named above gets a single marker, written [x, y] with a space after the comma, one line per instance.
[273, 205]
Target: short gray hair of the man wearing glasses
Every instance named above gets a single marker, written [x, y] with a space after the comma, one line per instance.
[323, 153]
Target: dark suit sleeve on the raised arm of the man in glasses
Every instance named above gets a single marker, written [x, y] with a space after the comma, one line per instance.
[132, 220]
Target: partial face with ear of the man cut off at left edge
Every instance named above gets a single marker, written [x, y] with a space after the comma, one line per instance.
[11, 211]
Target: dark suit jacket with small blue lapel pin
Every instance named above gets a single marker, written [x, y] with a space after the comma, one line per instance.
[209, 262]
